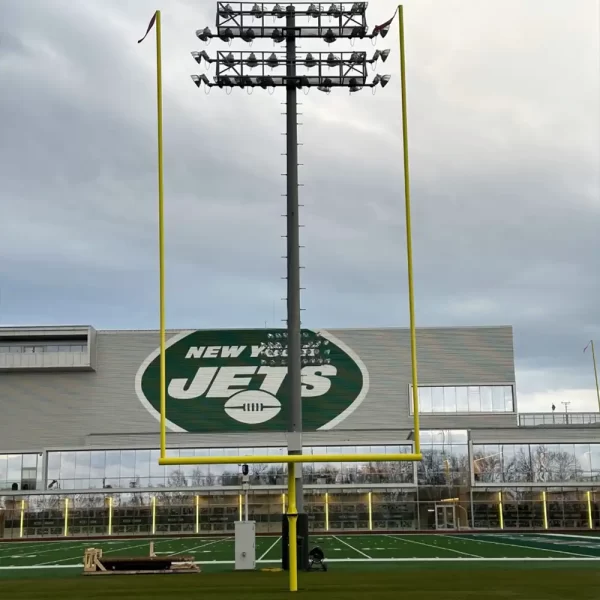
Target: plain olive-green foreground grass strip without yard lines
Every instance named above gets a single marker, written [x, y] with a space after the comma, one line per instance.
[448, 584]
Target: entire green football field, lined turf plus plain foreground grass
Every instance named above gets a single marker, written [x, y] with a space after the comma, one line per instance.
[420, 567]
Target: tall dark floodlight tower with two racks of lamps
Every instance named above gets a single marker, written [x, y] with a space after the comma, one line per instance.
[324, 70]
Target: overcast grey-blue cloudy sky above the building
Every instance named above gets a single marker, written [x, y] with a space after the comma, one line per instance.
[504, 127]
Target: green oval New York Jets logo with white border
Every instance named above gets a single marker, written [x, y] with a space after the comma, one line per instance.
[236, 381]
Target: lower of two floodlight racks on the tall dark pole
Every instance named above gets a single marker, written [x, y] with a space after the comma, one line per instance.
[321, 70]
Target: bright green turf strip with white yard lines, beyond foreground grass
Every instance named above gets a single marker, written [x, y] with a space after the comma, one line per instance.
[389, 548]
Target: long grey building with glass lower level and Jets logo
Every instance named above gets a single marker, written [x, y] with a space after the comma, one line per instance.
[80, 433]
